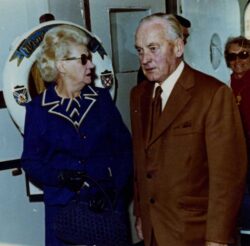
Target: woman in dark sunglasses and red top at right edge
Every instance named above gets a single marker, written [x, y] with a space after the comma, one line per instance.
[237, 55]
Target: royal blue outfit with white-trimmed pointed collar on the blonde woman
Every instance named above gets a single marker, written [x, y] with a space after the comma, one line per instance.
[86, 133]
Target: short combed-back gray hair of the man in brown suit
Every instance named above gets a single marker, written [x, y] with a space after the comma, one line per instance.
[172, 25]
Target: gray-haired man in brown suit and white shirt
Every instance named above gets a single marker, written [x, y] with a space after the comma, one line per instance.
[189, 148]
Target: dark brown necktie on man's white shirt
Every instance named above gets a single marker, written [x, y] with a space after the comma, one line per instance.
[156, 108]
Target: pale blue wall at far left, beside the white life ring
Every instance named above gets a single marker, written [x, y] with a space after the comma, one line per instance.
[21, 221]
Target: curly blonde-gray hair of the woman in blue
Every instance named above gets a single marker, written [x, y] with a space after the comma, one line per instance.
[55, 46]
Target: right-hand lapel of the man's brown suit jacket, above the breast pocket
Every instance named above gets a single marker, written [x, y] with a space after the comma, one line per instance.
[179, 97]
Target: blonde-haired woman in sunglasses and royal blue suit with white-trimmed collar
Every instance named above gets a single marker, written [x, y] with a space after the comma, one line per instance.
[74, 129]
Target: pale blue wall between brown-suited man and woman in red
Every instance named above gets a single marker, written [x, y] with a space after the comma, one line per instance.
[221, 17]
